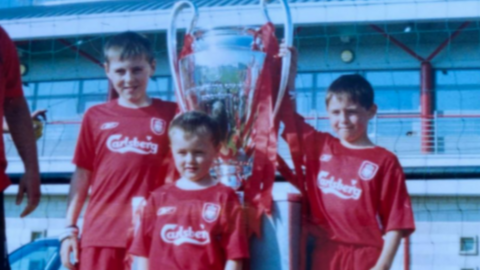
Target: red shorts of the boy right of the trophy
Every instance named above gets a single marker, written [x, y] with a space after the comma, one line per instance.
[339, 256]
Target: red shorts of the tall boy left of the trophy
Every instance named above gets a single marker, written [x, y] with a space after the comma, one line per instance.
[104, 258]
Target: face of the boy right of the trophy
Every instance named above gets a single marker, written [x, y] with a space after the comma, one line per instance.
[349, 120]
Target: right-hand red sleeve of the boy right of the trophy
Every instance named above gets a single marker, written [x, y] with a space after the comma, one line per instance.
[395, 206]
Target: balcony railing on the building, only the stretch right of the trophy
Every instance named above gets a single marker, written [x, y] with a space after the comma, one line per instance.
[412, 134]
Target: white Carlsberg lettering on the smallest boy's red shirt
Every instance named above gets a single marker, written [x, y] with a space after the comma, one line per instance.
[178, 235]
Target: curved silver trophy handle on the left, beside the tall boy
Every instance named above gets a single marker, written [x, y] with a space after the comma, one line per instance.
[172, 46]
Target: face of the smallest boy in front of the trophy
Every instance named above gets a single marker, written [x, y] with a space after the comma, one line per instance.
[193, 154]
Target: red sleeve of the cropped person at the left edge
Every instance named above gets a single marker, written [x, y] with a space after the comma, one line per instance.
[11, 66]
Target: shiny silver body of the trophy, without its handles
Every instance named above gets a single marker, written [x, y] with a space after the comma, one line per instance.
[220, 78]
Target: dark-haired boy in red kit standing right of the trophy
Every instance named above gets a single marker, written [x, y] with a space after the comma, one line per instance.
[357, 194]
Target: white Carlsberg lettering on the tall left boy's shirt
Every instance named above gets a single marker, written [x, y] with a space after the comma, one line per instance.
[118, 143]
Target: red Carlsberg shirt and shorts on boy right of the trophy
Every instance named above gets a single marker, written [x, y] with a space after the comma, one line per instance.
[355, 196]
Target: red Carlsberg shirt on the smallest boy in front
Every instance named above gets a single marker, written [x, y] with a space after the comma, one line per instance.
[191, 229]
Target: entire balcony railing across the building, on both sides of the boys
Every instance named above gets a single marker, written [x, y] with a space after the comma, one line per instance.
[403, 134]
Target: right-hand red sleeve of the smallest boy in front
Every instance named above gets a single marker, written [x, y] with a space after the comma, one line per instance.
[234, 236]
